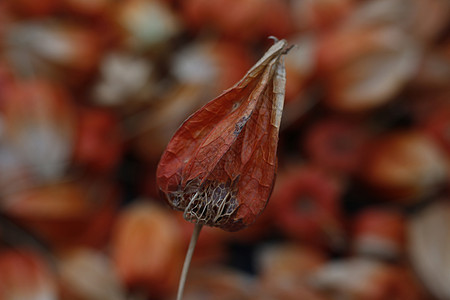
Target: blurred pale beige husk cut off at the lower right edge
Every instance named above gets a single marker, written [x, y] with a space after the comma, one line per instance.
[429, 237]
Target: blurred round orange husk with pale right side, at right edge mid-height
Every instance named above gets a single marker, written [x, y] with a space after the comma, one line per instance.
[405, 166]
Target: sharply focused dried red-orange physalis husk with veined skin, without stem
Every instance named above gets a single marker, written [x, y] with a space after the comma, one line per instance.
[219, 167]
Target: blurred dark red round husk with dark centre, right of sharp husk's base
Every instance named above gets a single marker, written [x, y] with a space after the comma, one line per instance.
[306, 206]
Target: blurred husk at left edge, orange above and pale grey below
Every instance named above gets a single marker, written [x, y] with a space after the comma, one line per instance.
[39, 125]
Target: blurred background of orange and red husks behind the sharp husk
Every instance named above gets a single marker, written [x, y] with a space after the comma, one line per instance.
[92, 91]
